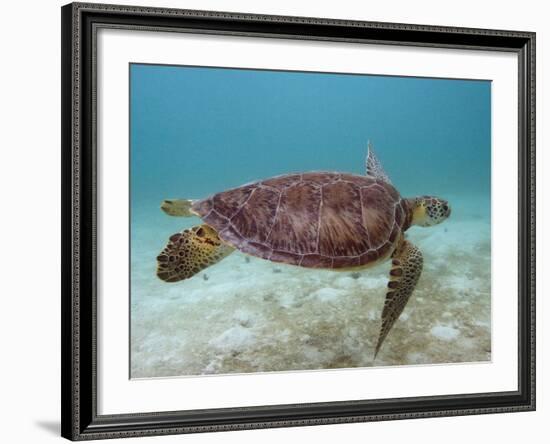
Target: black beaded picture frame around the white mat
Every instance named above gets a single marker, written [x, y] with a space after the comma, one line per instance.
[78, 333]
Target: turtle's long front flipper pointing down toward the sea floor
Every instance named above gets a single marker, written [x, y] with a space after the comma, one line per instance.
[406, 268]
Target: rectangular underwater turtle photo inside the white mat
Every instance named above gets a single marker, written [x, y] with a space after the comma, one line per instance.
[362, 263]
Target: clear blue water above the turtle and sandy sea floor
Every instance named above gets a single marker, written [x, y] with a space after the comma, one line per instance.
[195, 131]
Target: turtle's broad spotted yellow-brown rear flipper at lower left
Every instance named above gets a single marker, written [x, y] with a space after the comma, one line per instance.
[189, 252]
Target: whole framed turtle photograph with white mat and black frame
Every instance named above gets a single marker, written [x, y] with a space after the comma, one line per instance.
[279, 221]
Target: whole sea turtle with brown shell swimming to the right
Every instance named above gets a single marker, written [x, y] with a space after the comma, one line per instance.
[327, 220]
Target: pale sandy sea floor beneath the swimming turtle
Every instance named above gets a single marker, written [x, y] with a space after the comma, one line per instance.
[249, 315]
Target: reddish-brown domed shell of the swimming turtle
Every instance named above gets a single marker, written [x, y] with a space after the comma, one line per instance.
[315, 220]
